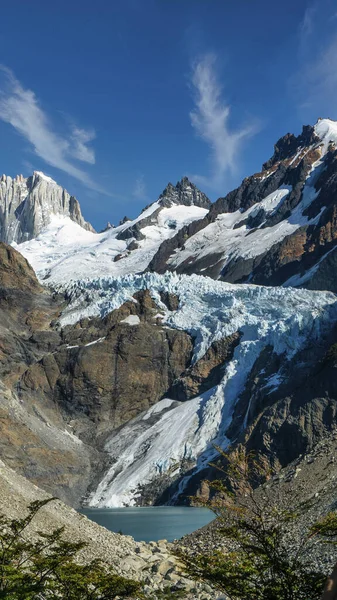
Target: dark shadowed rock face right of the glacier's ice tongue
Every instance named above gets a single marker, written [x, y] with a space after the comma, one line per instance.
[280, 424]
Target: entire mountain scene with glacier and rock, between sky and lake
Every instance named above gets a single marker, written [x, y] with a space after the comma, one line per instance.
[164, 330]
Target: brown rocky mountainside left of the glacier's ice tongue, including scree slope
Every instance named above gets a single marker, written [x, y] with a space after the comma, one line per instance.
[62, 391]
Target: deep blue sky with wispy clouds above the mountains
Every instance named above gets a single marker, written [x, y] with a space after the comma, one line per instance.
[115, 99]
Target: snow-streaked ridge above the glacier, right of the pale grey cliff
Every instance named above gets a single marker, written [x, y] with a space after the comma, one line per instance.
[276, 228]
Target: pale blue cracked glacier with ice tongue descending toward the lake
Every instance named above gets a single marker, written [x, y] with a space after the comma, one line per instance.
[170, 432]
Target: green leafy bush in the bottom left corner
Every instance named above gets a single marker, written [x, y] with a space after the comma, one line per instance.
[46, 569]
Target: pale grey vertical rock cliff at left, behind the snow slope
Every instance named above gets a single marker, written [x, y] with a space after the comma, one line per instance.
[28, 205]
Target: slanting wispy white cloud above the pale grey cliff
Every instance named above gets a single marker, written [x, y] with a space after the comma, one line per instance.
[20, 108]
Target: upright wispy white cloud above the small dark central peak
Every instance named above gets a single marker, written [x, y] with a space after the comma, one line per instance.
[210, 119]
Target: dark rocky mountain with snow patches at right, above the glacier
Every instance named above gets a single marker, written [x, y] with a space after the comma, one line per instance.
[277, 228]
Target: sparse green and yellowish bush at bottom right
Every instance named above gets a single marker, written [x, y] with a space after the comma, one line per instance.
[259, 558]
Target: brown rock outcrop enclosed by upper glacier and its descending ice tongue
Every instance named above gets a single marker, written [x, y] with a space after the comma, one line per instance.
[107, 371]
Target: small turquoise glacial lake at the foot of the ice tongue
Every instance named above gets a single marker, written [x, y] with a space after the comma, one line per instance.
[151, 523]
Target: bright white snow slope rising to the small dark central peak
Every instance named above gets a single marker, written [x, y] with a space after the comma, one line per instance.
[66, 251]
